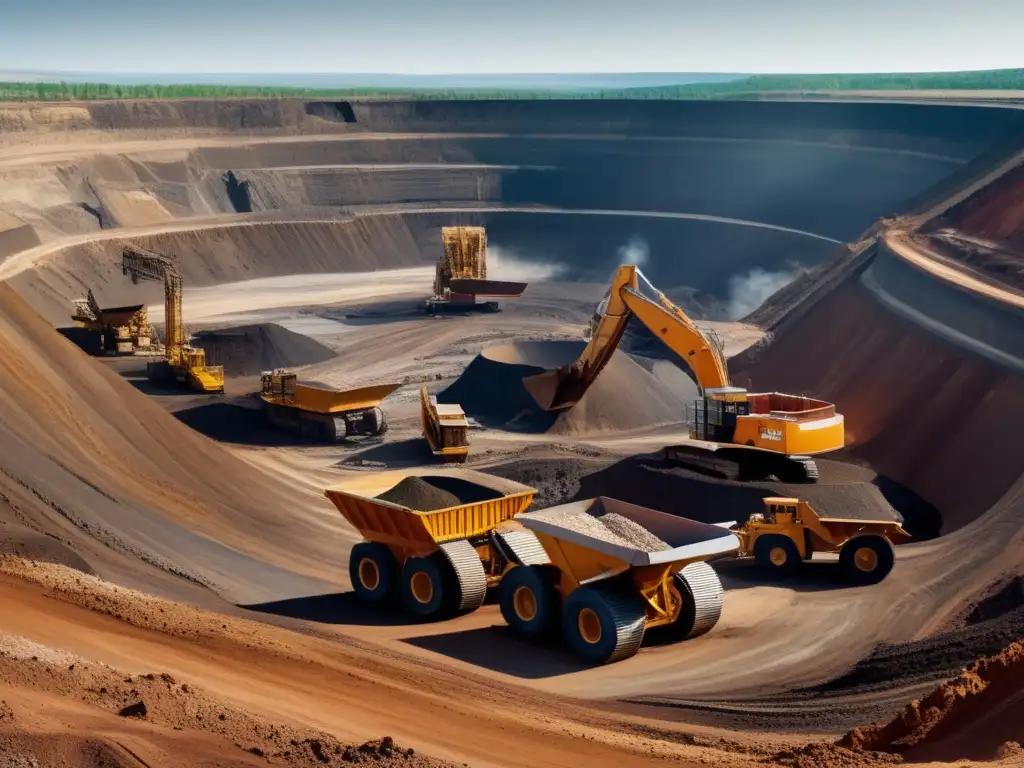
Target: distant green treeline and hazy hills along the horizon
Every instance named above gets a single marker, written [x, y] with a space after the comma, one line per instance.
[751, 87]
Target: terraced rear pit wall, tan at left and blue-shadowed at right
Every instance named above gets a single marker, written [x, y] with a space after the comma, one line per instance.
[704, 192]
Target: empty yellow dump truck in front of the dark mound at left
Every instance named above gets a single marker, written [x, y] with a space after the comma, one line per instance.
[323, 413]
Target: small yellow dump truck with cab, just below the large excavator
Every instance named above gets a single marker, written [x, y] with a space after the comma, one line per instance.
[790, 532]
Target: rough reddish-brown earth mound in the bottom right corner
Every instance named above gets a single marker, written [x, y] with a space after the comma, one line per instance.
[971, 717]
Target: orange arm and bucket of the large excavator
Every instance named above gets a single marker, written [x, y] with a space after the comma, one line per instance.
[631, 296]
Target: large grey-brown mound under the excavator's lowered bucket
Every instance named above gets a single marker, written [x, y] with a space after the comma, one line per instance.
[625, 397]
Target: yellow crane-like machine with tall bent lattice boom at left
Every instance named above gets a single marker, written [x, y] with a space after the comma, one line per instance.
[184, 363]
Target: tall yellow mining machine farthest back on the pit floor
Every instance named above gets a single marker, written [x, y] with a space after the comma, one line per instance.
[461, 275]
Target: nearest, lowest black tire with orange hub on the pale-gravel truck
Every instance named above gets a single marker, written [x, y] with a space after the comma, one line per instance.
[605, 623]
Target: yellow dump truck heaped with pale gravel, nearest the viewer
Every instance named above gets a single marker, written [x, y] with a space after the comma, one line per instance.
[616, 572]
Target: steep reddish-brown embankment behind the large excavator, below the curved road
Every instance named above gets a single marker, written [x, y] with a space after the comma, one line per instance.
[922, 412]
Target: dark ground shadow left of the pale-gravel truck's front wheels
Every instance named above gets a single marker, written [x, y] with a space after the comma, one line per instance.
[496, 649]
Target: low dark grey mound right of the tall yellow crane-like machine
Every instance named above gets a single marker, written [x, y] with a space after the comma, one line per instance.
[248, 351]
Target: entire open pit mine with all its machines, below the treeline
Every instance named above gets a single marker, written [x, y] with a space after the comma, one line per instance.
[513, 434]
